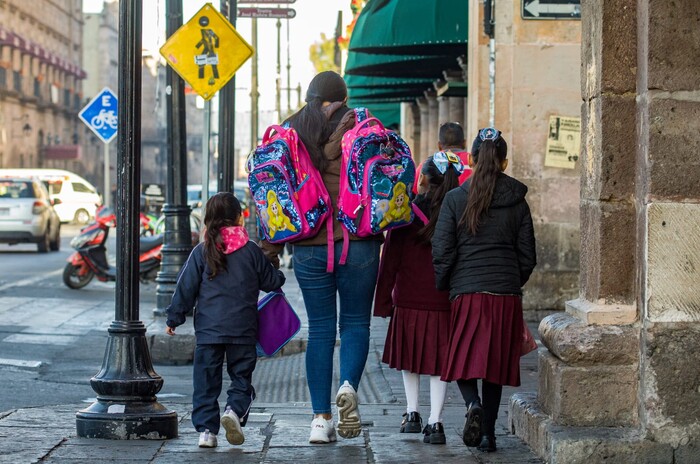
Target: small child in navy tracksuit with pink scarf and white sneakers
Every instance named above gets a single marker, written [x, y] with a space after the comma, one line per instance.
[223, 277]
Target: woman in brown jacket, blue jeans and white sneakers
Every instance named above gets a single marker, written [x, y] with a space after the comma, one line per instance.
[321, 124]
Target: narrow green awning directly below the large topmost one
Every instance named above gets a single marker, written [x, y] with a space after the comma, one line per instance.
[412, 66]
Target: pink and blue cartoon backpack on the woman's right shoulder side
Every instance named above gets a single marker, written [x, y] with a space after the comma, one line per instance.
[376, 179]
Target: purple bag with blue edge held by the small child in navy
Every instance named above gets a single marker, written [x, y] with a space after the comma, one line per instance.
[277, 323]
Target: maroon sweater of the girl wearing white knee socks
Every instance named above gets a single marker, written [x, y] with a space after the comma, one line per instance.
[406, 275]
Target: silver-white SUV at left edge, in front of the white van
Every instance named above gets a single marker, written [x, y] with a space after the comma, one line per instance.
[26, 214]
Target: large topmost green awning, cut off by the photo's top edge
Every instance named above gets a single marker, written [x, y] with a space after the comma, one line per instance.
[412, 27]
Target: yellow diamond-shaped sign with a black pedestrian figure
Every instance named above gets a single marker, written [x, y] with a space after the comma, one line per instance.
[206, 51]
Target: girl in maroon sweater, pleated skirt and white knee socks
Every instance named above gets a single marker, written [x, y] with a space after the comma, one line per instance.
[416, 342]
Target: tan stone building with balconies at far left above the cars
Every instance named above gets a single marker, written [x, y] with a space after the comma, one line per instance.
[41, 84]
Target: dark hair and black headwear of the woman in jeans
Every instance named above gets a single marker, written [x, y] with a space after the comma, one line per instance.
[311, 124]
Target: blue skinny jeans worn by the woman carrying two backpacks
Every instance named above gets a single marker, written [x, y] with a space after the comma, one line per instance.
[354, 282]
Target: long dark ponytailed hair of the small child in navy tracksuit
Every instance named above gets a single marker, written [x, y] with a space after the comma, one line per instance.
[222, 210]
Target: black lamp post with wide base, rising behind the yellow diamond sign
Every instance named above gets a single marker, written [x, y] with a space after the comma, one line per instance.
[177, 238]
